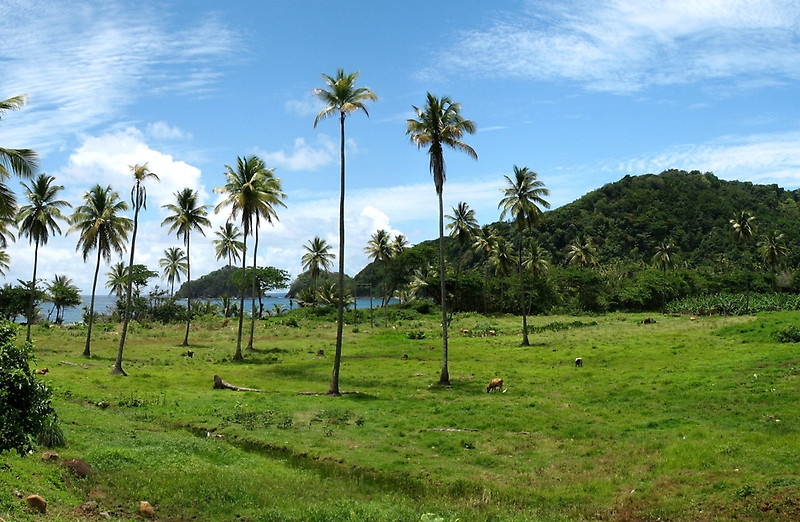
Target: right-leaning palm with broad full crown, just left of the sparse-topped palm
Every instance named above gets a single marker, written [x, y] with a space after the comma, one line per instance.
[101, 227]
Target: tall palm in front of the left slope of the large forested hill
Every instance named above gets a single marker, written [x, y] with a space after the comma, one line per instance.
[522, 199]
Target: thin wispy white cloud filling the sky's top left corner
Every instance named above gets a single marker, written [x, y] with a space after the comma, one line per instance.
[83, 63]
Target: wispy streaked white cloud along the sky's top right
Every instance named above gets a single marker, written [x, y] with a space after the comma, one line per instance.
[624, 46]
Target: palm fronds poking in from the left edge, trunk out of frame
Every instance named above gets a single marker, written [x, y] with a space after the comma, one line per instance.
[22, 162]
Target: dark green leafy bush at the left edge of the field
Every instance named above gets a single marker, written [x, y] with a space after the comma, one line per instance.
[24, 400]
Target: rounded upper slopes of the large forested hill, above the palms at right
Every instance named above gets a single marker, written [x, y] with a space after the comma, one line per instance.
[629, 218]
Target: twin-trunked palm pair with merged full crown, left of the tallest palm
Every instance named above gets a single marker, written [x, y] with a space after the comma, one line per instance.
[251, 190]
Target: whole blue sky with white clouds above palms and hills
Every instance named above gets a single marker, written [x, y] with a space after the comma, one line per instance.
[581, 92]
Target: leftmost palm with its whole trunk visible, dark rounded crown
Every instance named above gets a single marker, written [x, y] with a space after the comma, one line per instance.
[37, 220]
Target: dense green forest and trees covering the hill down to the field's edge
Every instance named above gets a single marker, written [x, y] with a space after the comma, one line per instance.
[616, 232]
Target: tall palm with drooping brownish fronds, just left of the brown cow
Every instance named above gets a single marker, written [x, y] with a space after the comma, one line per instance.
[440, 123]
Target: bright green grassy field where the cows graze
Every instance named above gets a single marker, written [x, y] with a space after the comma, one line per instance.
[677, 420]
